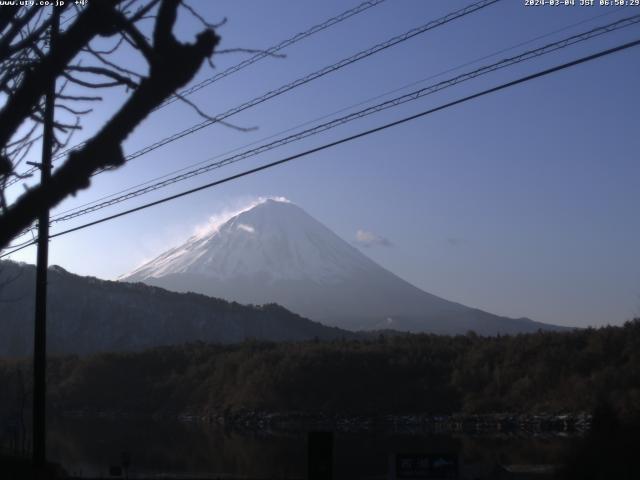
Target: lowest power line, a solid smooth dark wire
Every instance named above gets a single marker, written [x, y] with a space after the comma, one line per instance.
[365, 133]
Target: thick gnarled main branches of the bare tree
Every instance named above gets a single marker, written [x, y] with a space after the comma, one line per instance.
[171, 65]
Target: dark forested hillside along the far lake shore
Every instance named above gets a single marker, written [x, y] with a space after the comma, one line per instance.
[543, 372]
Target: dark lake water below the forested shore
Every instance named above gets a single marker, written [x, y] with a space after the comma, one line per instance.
[88, 447]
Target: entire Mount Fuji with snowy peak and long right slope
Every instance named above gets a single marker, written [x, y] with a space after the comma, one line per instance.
[275, 252]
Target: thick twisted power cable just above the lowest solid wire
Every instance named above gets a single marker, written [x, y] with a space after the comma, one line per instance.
[412, 96]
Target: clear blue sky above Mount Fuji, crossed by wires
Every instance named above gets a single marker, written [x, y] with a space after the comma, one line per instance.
[522, 203]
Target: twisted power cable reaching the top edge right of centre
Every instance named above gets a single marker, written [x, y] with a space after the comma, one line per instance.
[302, 80]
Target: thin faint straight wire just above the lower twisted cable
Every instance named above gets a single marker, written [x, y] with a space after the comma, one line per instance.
[344, 109]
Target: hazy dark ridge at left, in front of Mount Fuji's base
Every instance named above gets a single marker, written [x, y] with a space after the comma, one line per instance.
[88, 315]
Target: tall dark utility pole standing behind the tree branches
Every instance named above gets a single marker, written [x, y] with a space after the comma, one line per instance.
[40, 331]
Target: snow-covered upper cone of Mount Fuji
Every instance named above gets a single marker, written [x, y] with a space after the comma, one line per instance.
[274, 240]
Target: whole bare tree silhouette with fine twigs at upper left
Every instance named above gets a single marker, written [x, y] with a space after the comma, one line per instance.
[79, 62]
